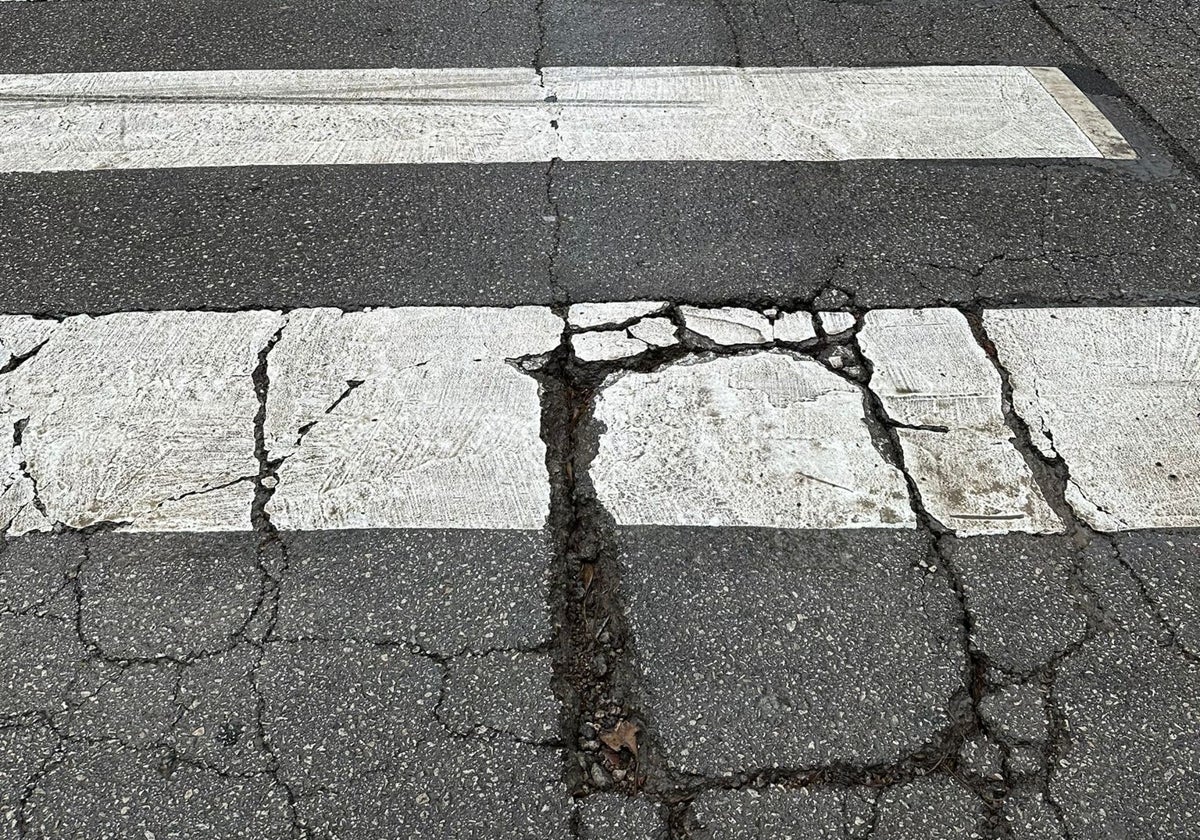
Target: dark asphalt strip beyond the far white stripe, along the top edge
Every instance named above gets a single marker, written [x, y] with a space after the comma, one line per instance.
[113, 35]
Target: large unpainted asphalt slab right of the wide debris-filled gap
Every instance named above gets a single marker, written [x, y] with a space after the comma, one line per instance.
[755, 652]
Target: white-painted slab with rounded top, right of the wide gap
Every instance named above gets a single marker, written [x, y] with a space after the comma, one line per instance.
[764, 440]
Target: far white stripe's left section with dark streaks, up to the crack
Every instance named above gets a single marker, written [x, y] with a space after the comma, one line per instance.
[272, 118]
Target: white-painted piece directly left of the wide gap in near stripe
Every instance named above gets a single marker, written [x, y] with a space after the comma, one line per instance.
[442, 431]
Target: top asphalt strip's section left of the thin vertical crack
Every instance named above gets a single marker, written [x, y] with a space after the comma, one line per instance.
[142, 35]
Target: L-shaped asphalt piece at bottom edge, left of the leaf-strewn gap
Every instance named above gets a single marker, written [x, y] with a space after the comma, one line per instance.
[363, 748]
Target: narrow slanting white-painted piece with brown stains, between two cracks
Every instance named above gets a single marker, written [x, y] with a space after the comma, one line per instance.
[929, 371]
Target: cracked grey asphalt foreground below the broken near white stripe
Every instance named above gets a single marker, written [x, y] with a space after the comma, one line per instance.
[235, 665]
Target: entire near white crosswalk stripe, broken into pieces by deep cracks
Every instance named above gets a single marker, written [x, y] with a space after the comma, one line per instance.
[409, 418]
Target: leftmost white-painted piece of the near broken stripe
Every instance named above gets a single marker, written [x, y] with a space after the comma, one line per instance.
[135, 418]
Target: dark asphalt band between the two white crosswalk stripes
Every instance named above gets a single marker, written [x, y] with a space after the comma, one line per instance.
[887, 233]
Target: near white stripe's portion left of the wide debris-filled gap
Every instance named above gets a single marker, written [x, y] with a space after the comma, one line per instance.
[392, 418]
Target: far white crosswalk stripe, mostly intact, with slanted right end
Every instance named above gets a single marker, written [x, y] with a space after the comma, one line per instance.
[488, 116]
